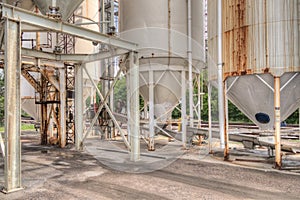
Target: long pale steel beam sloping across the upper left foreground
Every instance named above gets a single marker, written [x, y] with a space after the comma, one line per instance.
[30, 18]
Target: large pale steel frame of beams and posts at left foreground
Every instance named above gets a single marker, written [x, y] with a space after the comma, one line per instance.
[16, 21]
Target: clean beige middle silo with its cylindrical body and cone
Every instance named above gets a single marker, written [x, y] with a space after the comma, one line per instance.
[160, 29]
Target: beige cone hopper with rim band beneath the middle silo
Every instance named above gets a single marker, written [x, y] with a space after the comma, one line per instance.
[167, 84]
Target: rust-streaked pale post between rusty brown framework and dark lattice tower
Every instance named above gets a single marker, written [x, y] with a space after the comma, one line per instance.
[62, 114]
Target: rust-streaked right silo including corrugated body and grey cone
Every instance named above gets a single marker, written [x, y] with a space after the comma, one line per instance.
[261, 41]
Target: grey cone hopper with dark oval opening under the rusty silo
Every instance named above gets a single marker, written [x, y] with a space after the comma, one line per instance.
[253, 94]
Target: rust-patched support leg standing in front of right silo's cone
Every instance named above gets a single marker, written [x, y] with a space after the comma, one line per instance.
[277, 122]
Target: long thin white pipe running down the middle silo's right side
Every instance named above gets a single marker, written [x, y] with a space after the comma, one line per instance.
[191, 89]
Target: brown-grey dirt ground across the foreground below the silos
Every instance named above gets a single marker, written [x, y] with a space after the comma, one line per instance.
[53, 173]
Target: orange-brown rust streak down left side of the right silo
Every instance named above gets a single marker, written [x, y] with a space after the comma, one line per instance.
[235, 38]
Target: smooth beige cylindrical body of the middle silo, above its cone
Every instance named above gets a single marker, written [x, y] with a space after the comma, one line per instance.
[162, 27]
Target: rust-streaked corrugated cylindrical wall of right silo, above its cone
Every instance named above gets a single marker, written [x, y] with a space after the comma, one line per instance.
[259, 36]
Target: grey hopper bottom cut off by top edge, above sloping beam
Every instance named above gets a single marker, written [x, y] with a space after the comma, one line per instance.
[66, 7]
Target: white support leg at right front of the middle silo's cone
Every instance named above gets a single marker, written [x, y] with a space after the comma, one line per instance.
[183, 108]
